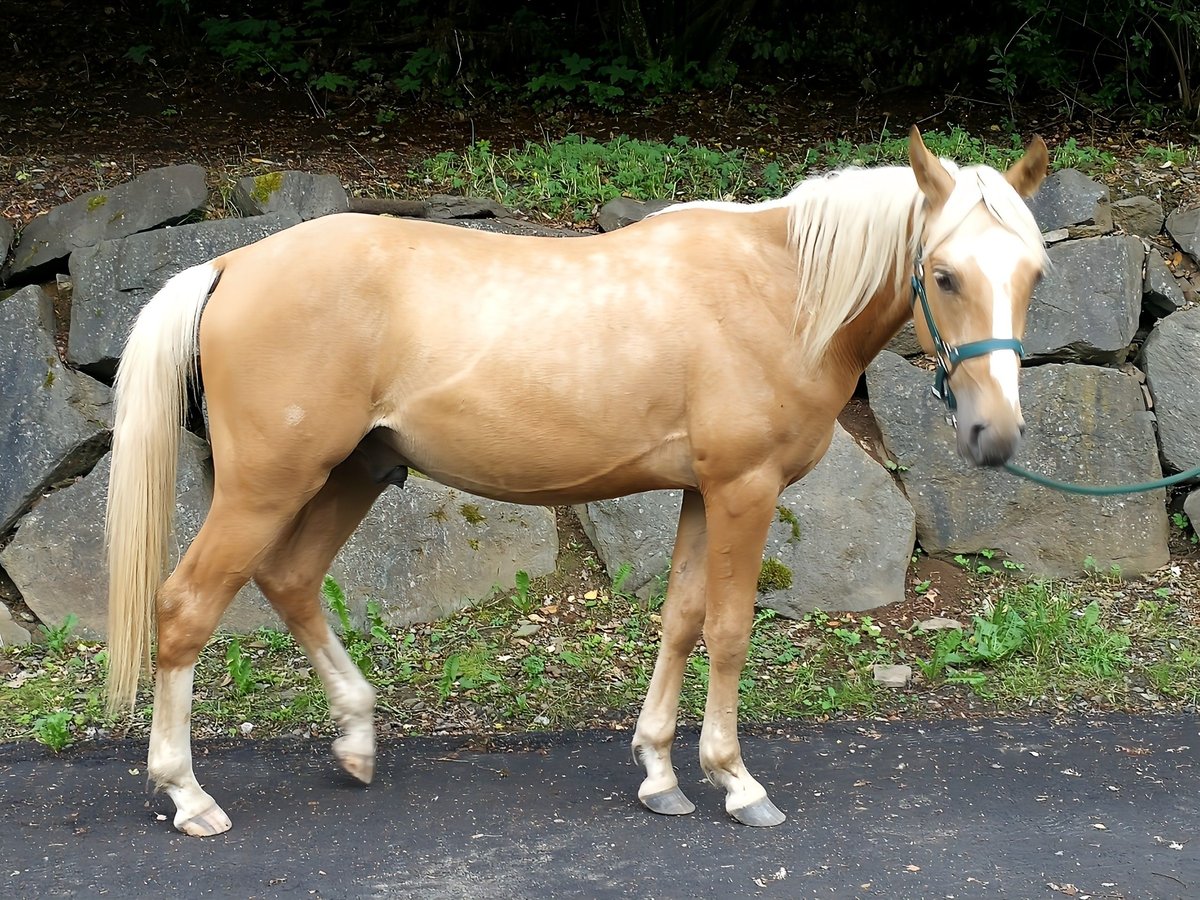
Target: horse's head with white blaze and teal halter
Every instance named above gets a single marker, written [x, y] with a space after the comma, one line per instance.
[980, 255]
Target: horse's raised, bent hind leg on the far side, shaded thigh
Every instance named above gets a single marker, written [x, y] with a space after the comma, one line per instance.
[291, 577]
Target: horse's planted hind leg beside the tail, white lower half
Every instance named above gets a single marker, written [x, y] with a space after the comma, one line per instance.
[190, 604]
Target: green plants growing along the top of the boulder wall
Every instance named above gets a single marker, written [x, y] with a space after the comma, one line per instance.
[569, 179]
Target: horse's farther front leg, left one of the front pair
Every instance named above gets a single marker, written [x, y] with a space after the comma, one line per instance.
[683, 616]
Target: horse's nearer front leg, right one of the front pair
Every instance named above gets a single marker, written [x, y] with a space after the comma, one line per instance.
[739, 517]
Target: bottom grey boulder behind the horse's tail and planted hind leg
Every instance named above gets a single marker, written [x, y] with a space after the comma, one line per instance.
[58, 562]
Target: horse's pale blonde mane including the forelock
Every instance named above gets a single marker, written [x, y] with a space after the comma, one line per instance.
[859, 231]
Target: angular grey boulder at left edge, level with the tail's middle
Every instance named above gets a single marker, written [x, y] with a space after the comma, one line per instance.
[55, 423]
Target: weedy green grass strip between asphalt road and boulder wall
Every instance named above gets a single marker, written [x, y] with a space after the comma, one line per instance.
[526, 662]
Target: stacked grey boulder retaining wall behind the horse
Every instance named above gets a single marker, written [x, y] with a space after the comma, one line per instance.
[844, 537]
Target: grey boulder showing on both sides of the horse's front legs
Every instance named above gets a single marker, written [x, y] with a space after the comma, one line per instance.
[843, 537]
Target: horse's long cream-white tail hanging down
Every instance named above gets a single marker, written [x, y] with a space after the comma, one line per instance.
[152, 394]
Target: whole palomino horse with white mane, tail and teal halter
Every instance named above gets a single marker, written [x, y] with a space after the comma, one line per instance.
[709, 349]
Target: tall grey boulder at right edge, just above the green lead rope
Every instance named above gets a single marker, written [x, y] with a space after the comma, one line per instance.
[1171, 358]
